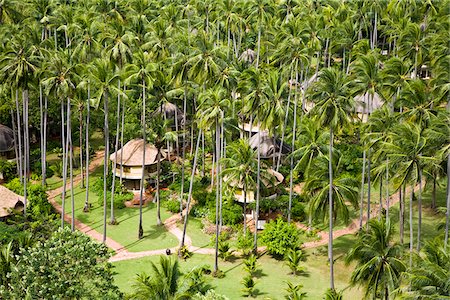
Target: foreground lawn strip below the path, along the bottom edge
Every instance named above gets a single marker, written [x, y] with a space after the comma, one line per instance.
[270, 284]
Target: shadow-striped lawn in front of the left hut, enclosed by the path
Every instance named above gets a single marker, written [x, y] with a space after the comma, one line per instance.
[155, 237]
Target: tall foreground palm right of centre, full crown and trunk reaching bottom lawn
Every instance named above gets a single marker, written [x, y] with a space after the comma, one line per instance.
[333, 108]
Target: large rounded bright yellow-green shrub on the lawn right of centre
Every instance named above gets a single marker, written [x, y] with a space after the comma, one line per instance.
[279, 236]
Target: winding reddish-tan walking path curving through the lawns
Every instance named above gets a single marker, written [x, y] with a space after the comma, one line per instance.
[121, 253]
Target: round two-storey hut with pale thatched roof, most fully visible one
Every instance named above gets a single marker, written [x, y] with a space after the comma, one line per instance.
[129, 162]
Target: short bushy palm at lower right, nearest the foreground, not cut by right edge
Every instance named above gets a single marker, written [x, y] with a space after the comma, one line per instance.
[378, 260]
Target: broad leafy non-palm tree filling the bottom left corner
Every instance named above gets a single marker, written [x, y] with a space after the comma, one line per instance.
[68, 265]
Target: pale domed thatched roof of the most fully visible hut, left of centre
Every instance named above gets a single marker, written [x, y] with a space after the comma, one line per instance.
[133, 152]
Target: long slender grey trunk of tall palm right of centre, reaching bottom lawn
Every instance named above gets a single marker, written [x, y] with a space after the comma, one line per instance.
[330, 216]
